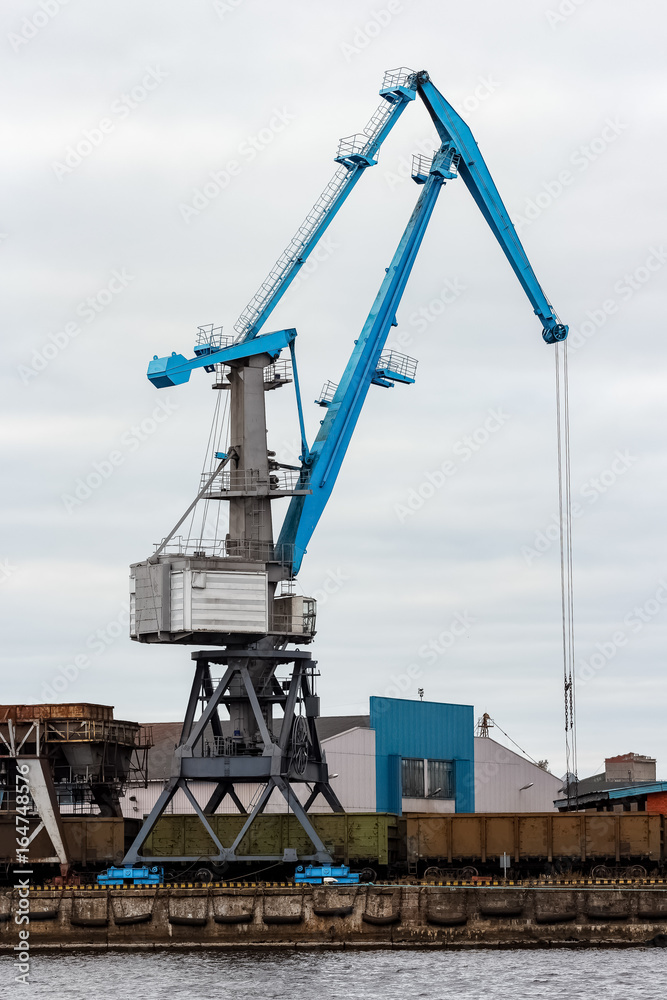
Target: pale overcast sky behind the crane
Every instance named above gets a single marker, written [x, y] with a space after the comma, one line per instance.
[116, 115]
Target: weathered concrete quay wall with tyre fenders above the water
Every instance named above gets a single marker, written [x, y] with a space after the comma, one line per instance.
[330, 916]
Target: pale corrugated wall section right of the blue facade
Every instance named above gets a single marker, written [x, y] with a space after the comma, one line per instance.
[501, 777]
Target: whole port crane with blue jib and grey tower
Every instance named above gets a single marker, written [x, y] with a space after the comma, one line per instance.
[228, 595]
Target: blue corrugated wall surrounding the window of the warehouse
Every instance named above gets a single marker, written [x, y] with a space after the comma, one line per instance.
[422, 729]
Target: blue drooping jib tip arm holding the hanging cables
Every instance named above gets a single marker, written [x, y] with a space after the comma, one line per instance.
[475, 175]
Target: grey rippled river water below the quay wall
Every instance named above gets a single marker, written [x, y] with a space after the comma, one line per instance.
[625, 974]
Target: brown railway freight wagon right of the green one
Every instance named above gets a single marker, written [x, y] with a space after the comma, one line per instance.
[537, 843]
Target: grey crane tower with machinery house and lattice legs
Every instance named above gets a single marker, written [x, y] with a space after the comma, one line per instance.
[224, 593]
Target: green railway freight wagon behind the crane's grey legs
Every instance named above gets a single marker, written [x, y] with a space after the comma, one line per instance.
[351, 838]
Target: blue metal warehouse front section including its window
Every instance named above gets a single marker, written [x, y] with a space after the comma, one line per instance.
[424, 752]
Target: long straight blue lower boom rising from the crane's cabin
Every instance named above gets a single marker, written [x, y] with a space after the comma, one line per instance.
[329, 448]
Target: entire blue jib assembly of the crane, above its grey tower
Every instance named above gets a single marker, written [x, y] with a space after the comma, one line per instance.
[458, 155]
